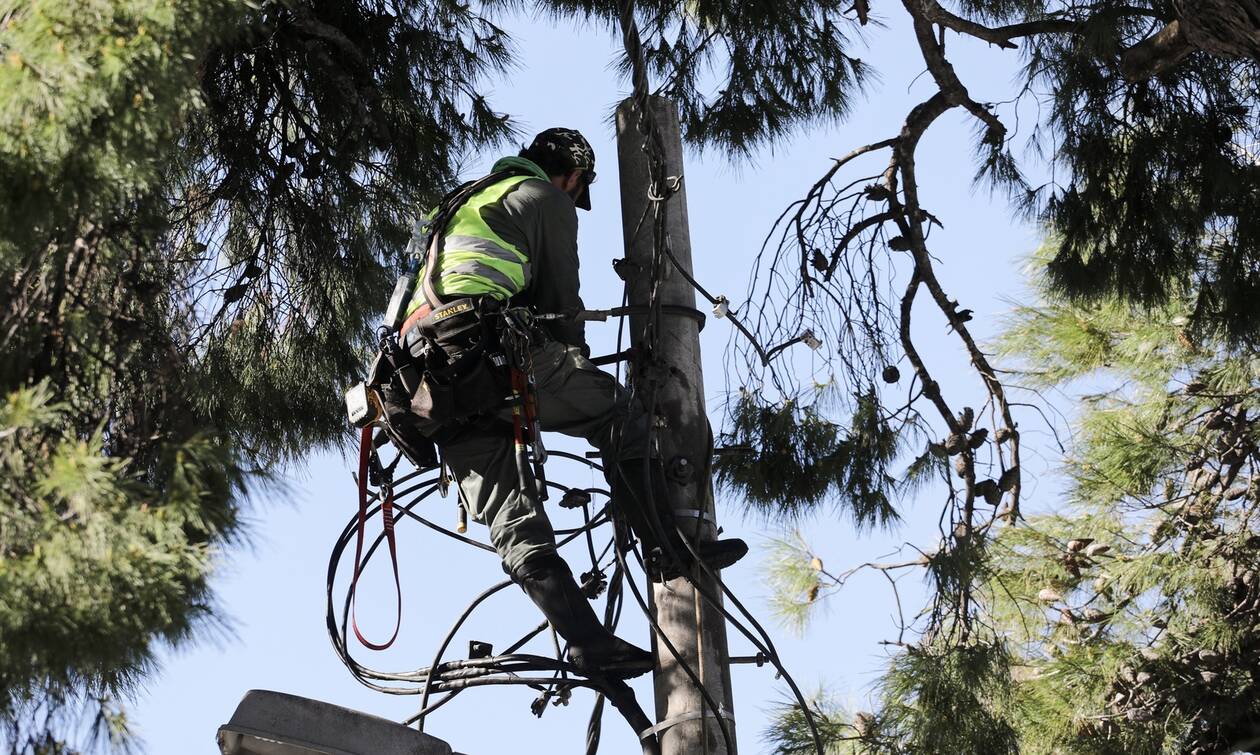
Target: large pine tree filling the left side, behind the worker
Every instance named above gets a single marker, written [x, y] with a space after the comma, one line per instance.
[202, 205]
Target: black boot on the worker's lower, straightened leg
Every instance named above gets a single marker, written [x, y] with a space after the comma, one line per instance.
[592, 647]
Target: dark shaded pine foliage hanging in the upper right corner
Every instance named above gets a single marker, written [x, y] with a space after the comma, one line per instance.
[1161, 196]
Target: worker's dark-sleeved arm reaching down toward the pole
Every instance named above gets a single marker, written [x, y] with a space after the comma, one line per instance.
[547, 220]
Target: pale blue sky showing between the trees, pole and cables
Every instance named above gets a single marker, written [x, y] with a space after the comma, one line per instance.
[274, 593]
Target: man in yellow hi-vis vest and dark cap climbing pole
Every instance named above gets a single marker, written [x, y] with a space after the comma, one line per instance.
[515, 244]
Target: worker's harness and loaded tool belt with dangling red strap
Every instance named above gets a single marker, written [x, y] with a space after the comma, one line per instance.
[440, 367]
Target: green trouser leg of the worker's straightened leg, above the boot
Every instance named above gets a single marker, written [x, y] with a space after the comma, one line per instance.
[484, 463]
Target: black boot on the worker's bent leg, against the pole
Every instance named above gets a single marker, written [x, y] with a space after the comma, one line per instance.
[670, 558]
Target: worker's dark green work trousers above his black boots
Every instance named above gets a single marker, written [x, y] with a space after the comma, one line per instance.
[574, 398]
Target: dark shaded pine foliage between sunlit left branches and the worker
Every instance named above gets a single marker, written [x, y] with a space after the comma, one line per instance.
[327, 127]
